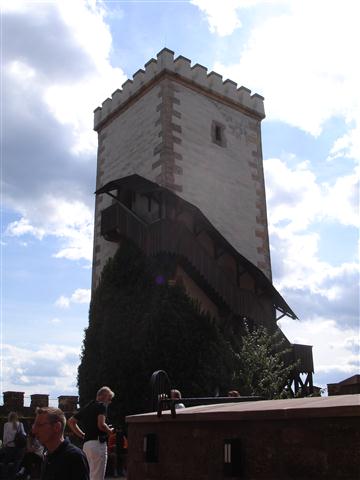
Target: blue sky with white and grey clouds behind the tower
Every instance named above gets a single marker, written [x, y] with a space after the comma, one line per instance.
[61, 59]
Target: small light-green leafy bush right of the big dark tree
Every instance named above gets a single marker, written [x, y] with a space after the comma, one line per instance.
[261, 370]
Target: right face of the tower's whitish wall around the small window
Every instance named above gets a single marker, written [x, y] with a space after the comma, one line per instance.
[222, 180]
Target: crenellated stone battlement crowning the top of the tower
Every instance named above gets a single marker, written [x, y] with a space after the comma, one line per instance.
[197, 75]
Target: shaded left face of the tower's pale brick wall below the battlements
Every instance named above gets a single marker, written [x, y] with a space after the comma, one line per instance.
[126, 146]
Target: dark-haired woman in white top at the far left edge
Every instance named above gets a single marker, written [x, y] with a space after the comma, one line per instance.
[11, 455]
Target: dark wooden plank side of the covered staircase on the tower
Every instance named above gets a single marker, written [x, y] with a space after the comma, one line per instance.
[166, 236]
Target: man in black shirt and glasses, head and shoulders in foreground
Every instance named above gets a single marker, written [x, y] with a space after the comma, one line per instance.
[62, 460]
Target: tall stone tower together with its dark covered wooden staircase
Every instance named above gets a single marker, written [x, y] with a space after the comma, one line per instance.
[180, 174]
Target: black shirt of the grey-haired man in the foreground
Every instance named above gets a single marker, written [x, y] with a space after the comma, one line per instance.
[66, 462]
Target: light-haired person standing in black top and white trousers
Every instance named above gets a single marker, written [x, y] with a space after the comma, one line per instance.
[94, 431]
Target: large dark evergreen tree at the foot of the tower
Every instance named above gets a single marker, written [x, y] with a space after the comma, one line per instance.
[139, 324]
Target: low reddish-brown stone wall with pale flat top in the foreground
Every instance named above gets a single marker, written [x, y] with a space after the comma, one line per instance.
[313, 438]
